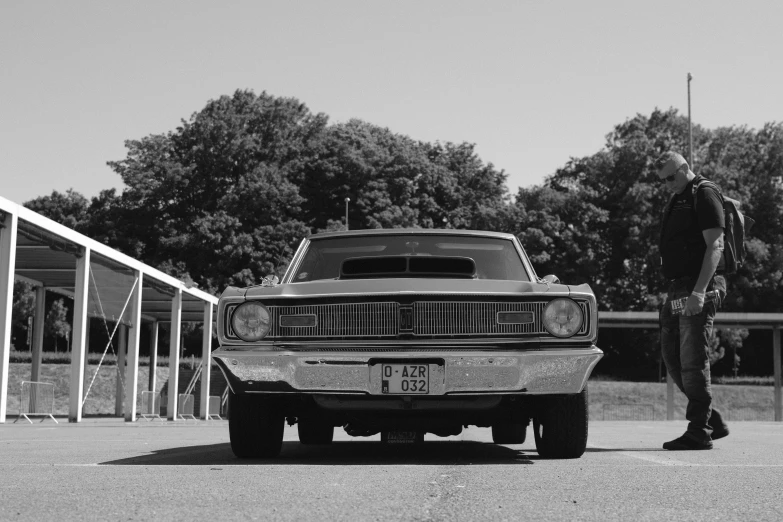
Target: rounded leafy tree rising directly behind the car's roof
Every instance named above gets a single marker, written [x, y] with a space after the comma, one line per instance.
[394, 181]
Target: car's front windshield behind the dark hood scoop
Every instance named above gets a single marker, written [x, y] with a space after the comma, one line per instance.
[495, 258]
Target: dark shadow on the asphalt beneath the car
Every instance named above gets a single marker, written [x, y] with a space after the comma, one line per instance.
[340, 453]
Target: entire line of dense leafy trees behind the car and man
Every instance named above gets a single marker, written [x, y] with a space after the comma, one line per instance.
[225, 198]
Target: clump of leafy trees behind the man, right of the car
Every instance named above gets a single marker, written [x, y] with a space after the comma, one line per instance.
[619, 181]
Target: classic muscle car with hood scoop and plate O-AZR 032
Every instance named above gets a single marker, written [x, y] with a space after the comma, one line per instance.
[404, 332]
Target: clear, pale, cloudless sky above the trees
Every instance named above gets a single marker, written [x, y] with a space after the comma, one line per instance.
[531, 84]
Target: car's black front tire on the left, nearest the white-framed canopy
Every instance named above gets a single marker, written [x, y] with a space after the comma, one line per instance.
[255, 426]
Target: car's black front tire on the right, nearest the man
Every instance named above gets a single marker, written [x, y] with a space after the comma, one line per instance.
[560, 426]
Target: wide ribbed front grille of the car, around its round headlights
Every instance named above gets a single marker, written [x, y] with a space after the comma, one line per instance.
[422, 319]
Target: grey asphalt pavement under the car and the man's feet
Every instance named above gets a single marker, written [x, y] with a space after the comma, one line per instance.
[107, 469]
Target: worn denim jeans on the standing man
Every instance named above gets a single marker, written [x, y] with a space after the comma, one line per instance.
[685, 351]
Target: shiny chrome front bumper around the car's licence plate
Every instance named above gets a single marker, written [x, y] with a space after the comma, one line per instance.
[553, 371]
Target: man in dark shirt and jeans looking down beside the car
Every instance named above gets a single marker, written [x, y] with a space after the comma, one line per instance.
[691, 246]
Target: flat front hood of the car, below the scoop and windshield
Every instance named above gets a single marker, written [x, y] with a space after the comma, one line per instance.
[333, 288]
